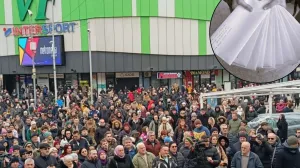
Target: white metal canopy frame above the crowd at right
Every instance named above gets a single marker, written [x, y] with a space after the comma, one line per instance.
[289, 87]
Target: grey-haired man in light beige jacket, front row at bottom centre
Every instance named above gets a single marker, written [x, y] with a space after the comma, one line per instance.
[143, 159]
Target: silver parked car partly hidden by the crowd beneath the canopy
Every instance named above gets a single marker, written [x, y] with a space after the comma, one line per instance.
[293, 120]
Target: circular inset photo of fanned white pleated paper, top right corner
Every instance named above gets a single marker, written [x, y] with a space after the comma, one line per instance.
[256, 40]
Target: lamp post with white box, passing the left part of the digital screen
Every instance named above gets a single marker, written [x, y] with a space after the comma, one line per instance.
[33, 48]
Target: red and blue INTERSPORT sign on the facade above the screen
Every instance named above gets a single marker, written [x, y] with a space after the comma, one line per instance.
[44, 29]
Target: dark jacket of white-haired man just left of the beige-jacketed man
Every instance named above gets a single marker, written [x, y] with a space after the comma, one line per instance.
[117, 162]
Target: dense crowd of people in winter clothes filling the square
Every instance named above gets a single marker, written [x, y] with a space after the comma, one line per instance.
[140, 128]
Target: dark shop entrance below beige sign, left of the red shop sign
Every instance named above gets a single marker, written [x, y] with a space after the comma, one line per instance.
[130, 83]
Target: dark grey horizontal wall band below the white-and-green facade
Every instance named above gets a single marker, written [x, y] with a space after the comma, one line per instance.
[115, 62]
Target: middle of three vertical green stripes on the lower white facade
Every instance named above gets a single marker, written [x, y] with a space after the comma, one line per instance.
[145, 35]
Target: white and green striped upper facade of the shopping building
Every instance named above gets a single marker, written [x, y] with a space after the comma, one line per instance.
[160, 27]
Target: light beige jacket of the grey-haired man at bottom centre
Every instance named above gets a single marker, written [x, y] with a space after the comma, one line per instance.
[139, 162]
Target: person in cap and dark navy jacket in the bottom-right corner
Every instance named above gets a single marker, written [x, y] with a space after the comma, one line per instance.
[289, 156]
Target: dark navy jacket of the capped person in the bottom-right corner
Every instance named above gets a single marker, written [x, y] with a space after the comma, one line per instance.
[287, 157]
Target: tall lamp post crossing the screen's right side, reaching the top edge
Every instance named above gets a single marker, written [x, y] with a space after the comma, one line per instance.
[54, 54]
